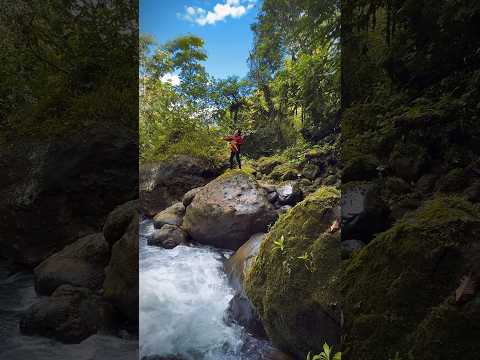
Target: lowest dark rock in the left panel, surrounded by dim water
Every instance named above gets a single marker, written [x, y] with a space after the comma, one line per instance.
[70, 315]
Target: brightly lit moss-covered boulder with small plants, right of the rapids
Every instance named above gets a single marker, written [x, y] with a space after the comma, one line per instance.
[290, 282]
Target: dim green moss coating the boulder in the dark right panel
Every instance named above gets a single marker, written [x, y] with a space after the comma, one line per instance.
[405, 272]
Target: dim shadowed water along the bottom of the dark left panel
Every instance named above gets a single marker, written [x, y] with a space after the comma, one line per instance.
[16, 295]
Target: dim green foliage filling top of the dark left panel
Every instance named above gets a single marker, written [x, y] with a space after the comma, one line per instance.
[66, 65]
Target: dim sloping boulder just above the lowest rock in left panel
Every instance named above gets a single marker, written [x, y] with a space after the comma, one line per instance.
[79, 264]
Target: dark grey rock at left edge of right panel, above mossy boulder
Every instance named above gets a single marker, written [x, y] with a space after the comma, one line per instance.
[363, 212]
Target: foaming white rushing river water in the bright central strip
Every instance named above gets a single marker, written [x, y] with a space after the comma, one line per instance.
[184, 294]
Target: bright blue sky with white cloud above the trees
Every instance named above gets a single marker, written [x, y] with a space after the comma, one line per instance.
[223, 24]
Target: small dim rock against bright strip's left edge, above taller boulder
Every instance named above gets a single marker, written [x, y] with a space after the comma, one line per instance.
[118, 220]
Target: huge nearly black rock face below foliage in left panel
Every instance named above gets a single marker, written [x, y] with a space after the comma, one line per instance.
[52, 193]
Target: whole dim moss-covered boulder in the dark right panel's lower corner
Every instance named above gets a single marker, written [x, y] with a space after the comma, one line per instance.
[398, 291]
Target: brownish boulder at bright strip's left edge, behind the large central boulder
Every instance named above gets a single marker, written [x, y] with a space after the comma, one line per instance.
[163, 183]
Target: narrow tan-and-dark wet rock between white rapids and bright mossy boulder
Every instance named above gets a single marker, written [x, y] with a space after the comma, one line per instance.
[240, 309]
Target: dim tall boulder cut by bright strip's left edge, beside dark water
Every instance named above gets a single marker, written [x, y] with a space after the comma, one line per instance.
[121, 275]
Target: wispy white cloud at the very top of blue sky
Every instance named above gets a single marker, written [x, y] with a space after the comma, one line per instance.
[232, 8]
